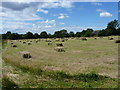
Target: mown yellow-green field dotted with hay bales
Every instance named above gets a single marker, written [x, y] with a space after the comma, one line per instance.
[84, 64]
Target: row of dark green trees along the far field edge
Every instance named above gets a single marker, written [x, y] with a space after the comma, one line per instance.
[111, 29]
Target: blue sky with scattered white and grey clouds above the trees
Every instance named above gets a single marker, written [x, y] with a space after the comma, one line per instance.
[21, 17]
